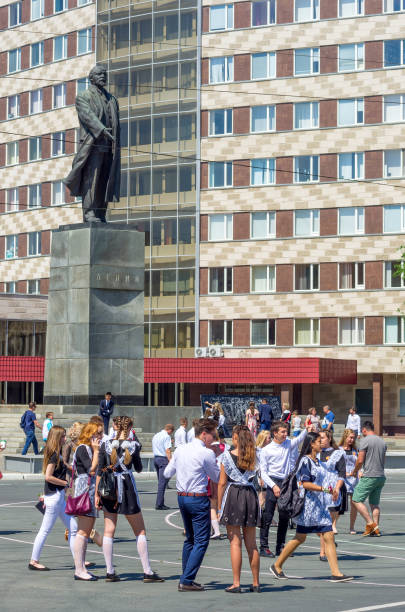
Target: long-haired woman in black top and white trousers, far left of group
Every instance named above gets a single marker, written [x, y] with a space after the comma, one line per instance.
[54, 469]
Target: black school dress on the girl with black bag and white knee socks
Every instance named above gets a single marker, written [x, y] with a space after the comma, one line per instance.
[129, 503]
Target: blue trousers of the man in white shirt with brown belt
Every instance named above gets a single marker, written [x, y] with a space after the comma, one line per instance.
[195, 512]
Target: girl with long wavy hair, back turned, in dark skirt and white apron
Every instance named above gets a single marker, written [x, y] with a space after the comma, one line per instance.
[239, 504]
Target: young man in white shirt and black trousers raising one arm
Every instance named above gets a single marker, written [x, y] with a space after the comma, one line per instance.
[275, 465]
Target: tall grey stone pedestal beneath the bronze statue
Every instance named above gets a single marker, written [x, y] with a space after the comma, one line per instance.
[95, 338]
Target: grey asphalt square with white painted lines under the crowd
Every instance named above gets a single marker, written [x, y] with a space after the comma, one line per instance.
[377, 563]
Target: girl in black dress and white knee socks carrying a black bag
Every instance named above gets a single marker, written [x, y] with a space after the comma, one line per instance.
[122, 456]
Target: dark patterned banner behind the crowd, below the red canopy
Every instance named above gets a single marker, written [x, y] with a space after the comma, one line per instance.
[235, 406]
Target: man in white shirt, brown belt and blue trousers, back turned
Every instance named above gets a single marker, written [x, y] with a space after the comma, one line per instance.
[193, 464]
